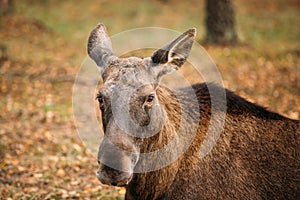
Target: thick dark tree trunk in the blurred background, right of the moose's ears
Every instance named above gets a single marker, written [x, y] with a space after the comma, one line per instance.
[220, 22]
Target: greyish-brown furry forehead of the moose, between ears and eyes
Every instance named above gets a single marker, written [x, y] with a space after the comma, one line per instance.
[126, 73]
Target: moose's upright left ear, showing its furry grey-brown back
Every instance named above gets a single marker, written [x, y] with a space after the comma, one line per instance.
[99, 47]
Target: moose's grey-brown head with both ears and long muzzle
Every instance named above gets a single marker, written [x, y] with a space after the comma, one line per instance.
[129, 101]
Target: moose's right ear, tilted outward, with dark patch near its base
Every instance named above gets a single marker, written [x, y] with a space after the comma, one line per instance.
[173, 56]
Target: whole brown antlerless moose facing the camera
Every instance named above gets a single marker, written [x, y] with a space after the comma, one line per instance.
[255, 157]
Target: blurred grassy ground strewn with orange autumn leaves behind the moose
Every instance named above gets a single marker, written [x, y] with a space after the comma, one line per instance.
[42, 45]
